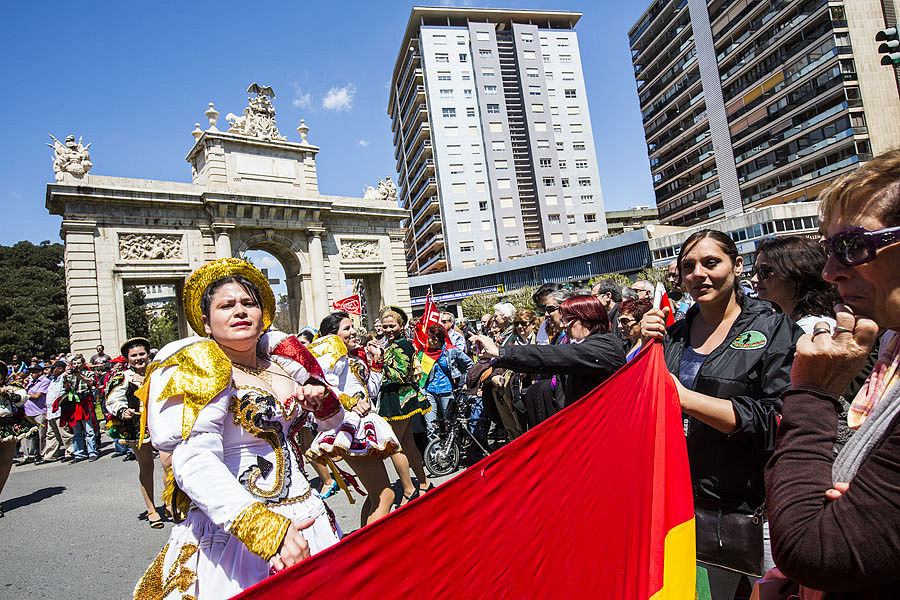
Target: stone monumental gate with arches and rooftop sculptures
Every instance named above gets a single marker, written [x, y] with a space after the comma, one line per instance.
[251, 190]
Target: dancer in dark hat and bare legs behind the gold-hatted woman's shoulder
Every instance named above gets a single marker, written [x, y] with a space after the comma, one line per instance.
[125, 426]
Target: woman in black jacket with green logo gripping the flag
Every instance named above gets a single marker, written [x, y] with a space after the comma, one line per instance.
[730, 359]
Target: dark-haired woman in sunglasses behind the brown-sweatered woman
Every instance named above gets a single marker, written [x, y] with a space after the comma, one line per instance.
[788, 273]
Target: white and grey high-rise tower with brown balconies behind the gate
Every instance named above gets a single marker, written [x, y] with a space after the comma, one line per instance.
[492, 136]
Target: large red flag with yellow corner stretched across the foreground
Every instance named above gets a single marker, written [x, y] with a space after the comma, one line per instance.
[593, 503]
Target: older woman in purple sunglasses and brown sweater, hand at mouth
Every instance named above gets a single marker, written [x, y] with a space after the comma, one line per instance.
[836, 520]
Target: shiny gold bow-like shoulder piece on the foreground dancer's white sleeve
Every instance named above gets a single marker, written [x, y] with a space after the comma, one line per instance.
[202, 372]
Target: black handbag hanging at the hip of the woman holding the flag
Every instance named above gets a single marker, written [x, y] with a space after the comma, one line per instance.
[728, 538]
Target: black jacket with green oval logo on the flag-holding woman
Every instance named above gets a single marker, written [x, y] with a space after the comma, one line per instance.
[752, 368]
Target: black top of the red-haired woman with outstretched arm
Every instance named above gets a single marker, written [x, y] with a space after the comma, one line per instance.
[585, 365]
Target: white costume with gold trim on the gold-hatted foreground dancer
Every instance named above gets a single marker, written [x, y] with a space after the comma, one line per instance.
[235, 457]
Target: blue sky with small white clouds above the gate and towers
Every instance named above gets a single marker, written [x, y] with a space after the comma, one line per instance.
[133, 78]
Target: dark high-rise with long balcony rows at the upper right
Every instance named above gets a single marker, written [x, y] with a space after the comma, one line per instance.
[748, 104]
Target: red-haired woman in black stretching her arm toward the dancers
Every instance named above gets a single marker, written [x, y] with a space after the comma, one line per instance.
[590, 357]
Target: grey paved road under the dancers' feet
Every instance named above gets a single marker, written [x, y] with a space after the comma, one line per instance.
[75, 532]
